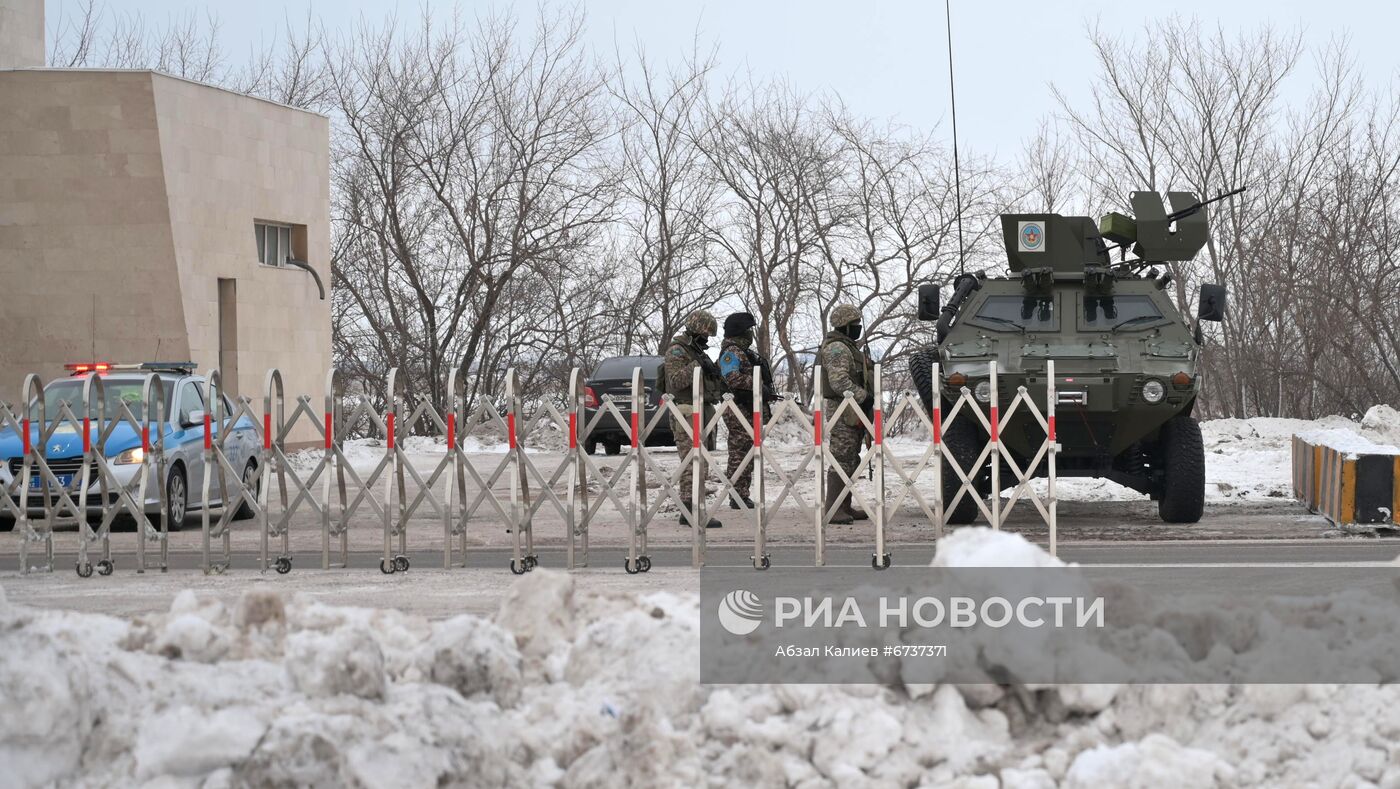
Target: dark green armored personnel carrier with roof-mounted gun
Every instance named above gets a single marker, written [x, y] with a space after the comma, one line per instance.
[1128, 363]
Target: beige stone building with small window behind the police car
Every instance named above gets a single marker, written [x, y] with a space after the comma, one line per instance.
[148, 218]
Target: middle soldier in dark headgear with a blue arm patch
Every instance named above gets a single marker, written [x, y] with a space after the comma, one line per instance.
[738, 362]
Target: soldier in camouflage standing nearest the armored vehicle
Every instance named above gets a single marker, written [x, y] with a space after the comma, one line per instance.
[845, 369]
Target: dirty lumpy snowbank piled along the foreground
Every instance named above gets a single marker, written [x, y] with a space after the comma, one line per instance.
[572, 689]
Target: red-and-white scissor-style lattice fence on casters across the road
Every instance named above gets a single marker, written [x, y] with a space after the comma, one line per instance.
[470, 488]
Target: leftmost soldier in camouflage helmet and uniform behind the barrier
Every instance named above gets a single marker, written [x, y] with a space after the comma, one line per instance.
[682, 357]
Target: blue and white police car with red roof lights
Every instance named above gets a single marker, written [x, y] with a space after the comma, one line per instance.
[187, 398]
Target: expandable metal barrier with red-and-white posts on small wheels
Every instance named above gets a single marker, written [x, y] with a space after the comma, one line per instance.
[334, 490]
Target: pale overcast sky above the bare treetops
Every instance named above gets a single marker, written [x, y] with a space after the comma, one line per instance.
[887, 59]
